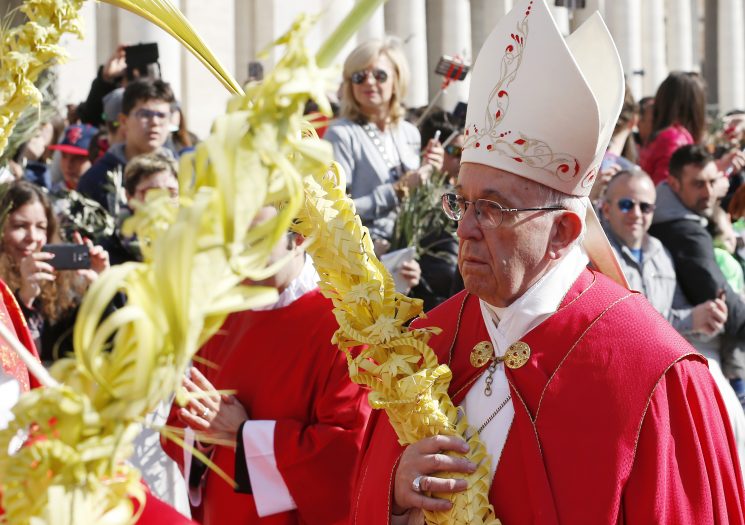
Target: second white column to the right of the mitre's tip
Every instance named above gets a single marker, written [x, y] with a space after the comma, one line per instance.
[653, 46]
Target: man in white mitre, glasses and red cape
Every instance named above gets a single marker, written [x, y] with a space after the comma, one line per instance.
[592, 408]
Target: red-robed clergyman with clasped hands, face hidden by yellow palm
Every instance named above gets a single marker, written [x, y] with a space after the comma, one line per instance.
[294, 424]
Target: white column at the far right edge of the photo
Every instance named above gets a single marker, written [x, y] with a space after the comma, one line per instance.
[731, 47]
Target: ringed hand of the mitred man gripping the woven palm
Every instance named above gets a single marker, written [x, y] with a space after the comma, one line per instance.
[419, 462]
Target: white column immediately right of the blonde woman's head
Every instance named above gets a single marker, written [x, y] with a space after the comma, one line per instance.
[408, 21]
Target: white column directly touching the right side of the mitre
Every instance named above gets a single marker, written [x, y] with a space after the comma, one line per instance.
[623, 19]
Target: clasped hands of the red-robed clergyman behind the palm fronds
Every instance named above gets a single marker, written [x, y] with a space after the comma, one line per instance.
[209, 413]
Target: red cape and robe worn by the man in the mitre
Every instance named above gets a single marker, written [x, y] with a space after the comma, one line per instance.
[617, 419]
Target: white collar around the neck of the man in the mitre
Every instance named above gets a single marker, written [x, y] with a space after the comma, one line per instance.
[509, 324]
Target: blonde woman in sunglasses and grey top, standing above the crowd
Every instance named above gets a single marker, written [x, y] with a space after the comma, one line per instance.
[378, 150]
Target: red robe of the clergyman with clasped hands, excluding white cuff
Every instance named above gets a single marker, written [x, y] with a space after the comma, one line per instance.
[283, 367]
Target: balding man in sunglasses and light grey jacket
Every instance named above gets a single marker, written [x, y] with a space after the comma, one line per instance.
[627, 215]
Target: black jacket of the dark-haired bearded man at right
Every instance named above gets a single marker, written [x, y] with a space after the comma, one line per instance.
[685, 236]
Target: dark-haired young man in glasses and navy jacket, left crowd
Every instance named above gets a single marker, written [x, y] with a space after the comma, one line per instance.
[145, 119]
